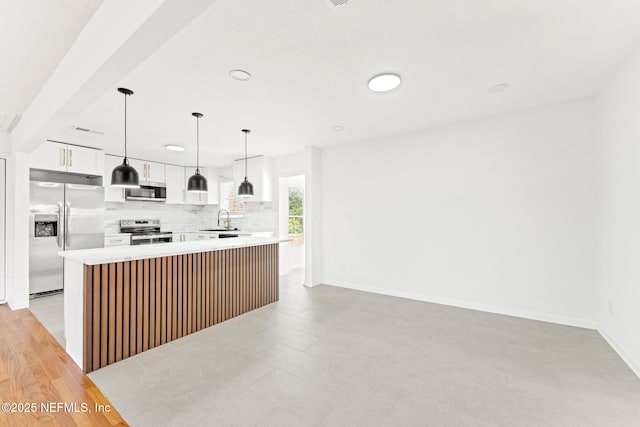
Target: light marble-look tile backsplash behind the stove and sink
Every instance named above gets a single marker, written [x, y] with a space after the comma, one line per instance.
[256, 216]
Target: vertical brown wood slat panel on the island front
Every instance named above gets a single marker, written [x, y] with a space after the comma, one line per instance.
[133, 306]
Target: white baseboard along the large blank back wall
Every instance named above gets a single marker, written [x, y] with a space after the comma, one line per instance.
[532, 315]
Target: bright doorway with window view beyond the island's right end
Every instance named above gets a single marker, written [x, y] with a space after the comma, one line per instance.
[291, 225]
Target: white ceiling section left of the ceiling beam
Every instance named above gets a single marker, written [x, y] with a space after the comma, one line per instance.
[34, 37]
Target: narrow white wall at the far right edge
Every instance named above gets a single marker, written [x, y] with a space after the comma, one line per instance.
[619, 239]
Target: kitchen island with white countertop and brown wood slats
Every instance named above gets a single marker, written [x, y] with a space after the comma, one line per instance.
[121, 301]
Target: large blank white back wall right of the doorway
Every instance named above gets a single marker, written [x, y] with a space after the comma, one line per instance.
[495, 214]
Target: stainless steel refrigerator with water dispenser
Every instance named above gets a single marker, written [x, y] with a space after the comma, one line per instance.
[61, 217]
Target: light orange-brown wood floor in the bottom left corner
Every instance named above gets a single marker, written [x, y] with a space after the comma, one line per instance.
[34, 368]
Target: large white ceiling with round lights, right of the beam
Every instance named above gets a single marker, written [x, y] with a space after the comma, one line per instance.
[311, 63]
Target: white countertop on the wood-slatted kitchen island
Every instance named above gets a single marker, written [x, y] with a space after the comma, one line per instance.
[128, 253]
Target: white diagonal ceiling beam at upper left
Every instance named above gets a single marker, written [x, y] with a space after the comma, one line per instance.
[118, 38]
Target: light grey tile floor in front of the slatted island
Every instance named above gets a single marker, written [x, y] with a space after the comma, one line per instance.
[338, 357]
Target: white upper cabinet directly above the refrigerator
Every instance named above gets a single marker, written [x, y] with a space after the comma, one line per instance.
[60, 157]
